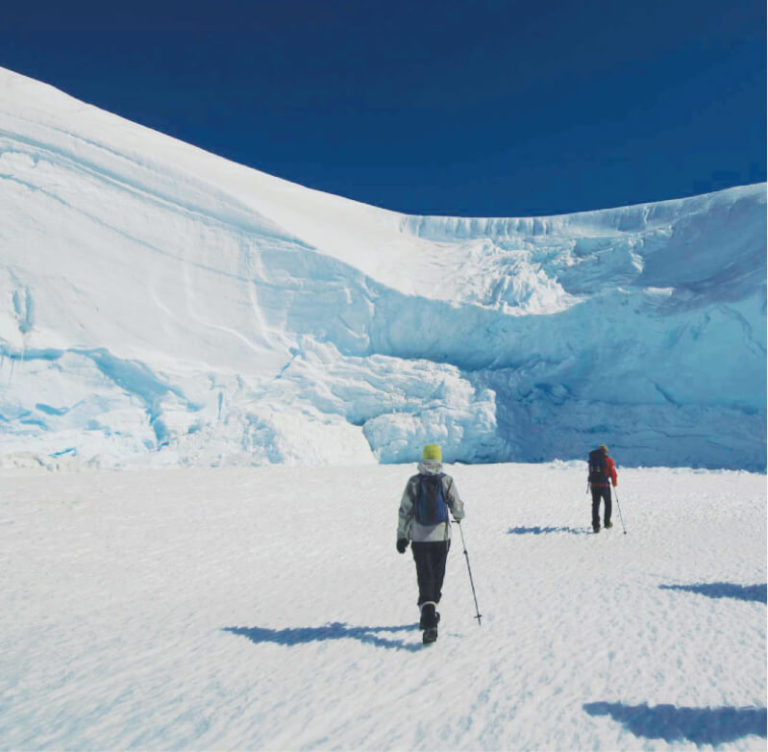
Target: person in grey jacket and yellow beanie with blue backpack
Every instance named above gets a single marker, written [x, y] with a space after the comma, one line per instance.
[430, 539]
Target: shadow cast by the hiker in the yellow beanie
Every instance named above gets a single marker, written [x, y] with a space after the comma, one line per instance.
[332, 631]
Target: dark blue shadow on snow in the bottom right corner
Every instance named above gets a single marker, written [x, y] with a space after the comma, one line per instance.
[698, 725]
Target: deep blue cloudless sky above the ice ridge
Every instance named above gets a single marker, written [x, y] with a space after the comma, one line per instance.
[480, 108]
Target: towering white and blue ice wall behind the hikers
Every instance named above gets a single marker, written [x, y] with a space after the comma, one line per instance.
[161, 305]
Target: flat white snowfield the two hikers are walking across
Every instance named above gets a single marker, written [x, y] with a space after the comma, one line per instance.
[267, 608]
